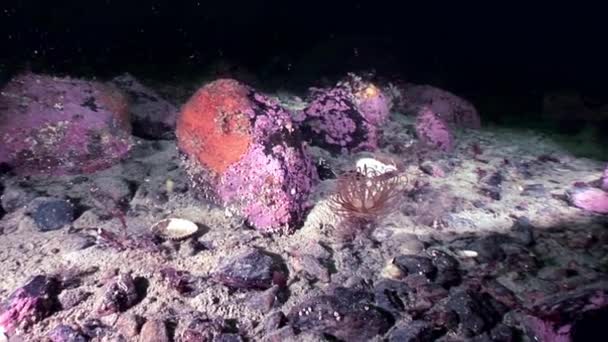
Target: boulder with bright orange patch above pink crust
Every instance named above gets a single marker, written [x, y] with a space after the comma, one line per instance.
[243, 147]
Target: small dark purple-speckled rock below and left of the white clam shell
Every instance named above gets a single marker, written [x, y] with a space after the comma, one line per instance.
[119, 295]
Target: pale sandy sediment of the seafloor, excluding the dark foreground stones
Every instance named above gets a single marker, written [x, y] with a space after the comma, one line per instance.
[450, 215]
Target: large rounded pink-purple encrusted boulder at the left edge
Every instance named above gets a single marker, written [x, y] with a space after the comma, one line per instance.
[57, 126]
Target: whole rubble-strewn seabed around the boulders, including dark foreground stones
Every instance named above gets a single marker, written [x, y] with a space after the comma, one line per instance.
[483, 246]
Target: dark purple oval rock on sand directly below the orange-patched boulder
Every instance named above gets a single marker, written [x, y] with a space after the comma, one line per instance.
[250, 270]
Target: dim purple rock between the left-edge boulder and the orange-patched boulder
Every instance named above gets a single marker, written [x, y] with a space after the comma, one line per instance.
[152, 116]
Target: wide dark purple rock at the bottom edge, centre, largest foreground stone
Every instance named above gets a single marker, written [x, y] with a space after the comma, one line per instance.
[345, 314]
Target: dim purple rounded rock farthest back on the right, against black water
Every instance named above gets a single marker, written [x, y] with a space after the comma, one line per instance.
[453, 110]
